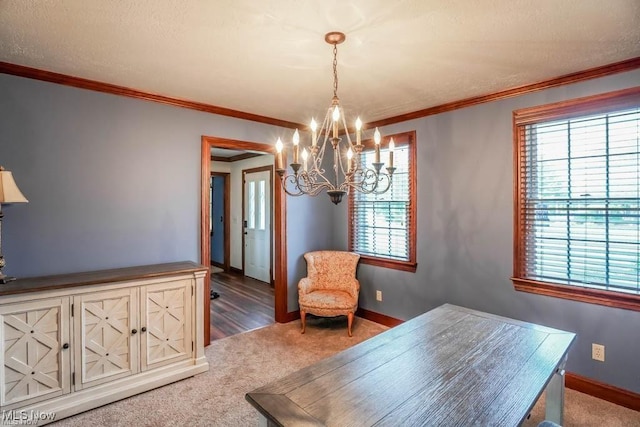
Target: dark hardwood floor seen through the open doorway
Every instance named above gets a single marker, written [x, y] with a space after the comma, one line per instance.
[244, 304]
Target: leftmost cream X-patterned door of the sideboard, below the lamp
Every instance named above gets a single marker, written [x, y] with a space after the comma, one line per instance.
[35, 365]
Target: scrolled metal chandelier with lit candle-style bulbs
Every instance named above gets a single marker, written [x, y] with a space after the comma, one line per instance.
[349, 173]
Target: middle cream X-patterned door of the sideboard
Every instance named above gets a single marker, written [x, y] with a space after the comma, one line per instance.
[108, 348]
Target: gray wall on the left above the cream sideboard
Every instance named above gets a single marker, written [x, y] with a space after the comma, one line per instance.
[111, 181]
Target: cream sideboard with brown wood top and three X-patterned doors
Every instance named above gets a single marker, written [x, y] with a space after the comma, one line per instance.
[75, 342]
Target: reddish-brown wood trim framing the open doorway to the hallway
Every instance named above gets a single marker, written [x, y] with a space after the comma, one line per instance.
[279, 227]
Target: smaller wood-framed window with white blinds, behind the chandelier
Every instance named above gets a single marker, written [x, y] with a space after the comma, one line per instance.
[382, 226]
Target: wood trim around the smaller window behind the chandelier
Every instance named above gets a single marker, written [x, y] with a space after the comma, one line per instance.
[408, 138]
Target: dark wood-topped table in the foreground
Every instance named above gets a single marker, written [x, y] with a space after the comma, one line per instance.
[449, 366]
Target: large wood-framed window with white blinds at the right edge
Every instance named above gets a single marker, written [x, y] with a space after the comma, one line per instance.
[578, 196]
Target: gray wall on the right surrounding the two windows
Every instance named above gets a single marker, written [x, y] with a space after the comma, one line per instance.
[465, 210]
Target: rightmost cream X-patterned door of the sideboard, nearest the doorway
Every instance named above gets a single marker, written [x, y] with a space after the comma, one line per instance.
[166, 308]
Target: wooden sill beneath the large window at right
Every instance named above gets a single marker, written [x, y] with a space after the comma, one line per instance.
[575, 293]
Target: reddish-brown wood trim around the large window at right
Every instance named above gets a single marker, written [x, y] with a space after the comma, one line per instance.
[601, 103]
